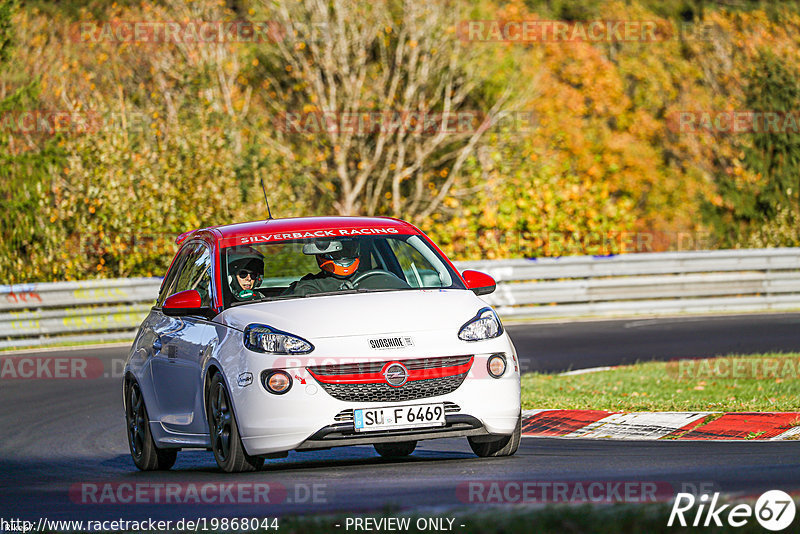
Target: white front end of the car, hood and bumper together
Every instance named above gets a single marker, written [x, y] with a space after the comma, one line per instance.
[270, 423]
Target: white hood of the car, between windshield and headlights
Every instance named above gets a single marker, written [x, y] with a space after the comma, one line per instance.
[361, 314]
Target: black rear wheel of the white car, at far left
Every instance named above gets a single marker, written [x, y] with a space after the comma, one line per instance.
[144, 452]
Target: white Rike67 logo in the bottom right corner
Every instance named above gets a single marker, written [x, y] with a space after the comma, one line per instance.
[774, 510]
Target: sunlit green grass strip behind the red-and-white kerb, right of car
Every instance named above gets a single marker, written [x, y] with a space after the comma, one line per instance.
[717, 384]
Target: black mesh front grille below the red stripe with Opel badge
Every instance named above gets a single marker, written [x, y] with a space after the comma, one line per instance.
[418, 389]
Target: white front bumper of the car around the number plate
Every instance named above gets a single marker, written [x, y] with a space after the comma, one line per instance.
[307, 417]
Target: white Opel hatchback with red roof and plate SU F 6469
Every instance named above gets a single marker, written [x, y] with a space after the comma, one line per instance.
[305, 334]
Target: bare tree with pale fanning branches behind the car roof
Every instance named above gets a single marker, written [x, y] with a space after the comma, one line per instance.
[398, 61]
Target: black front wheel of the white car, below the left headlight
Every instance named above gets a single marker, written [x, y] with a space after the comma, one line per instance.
[224, 432]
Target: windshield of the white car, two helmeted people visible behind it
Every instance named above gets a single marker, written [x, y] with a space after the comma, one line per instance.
[314, 267]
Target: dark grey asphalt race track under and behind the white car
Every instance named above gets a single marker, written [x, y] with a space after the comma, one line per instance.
[57, 436]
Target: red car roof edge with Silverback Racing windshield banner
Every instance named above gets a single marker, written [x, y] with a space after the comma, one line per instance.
[302, 227]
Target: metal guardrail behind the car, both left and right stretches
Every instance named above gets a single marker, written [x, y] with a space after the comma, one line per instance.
[628, 284]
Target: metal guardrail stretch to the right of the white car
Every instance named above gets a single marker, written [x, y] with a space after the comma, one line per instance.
[653, 283]
